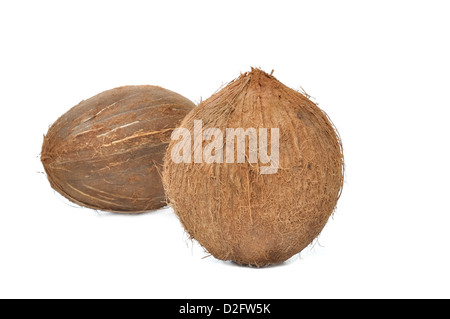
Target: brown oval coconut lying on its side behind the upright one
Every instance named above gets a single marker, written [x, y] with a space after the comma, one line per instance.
[107, 152]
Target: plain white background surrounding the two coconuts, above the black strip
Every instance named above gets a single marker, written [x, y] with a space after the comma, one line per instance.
[380, 69]
